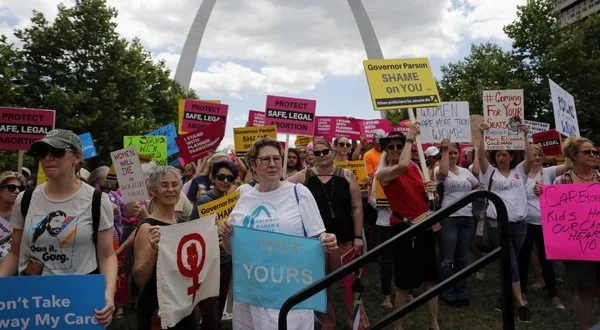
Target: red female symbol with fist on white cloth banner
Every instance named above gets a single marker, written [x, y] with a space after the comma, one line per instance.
[193, 261]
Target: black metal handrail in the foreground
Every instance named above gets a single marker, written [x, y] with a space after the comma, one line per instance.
[432, 219]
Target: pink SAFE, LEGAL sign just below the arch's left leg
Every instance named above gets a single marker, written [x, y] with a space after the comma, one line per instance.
[199, 114]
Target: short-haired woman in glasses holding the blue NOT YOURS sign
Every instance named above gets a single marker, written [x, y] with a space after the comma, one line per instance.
[286, 214]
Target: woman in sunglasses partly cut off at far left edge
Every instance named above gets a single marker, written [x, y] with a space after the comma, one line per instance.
[11, 184]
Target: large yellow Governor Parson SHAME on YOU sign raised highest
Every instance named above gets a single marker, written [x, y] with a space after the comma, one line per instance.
[401, 83]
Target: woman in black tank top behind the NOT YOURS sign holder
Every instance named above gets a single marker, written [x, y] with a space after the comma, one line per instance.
[339, 200]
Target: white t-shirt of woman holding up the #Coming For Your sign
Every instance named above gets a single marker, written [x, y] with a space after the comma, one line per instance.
[510, 189]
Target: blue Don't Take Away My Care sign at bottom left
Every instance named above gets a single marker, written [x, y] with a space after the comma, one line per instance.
[51, 302]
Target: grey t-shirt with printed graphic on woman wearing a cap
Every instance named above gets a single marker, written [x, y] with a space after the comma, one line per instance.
[58, 233]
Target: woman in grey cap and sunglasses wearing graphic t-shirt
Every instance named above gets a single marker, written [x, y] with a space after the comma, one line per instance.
[60, 154]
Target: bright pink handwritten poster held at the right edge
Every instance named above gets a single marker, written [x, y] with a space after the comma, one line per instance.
[571, 221]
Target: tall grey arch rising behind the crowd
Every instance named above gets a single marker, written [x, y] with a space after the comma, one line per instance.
[189, 53]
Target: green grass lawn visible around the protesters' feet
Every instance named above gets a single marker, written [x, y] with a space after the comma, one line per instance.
[479, 315]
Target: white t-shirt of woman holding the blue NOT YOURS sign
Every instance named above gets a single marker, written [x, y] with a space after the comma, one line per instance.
[275, 211]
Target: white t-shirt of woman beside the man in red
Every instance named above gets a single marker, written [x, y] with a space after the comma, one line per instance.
[457, 186]
